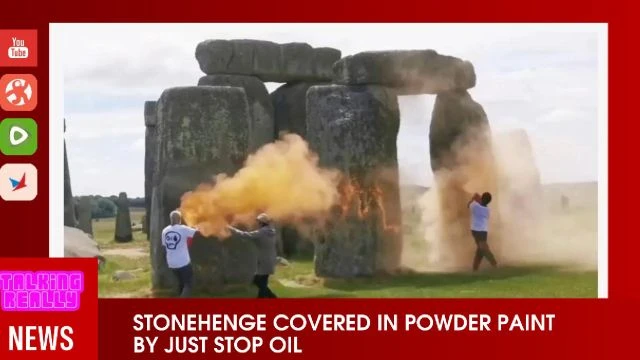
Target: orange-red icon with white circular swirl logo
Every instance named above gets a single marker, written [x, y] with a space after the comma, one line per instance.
[18, 92]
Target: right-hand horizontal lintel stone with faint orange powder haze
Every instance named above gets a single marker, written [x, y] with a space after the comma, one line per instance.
[409, 72]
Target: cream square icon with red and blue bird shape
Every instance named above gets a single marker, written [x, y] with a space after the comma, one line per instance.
[18, 182]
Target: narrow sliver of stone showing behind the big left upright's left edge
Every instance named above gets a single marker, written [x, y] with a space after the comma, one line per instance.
[150, 158]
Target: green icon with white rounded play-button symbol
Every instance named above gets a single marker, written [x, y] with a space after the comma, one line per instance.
[18, 137]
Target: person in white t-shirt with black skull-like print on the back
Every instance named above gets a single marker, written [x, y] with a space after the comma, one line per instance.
[176, 239]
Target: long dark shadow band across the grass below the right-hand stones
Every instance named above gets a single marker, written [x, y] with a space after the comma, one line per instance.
[427, 280]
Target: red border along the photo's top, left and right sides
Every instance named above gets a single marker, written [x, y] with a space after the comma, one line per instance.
[622, 246]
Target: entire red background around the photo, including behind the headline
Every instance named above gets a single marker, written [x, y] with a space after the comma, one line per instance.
[583, 329]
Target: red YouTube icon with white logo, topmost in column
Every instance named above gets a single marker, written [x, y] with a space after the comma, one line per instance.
[18, 48]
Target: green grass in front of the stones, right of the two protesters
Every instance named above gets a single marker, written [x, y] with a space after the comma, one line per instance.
[521, 282]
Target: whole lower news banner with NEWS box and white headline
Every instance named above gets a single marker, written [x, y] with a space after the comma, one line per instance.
[50, 305]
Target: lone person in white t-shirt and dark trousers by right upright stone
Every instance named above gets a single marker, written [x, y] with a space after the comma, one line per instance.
[480, 228]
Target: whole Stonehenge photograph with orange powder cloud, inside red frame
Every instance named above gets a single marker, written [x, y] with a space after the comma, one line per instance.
[335, 160]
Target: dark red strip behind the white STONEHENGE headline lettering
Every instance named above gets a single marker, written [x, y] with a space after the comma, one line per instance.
[583, 329]
